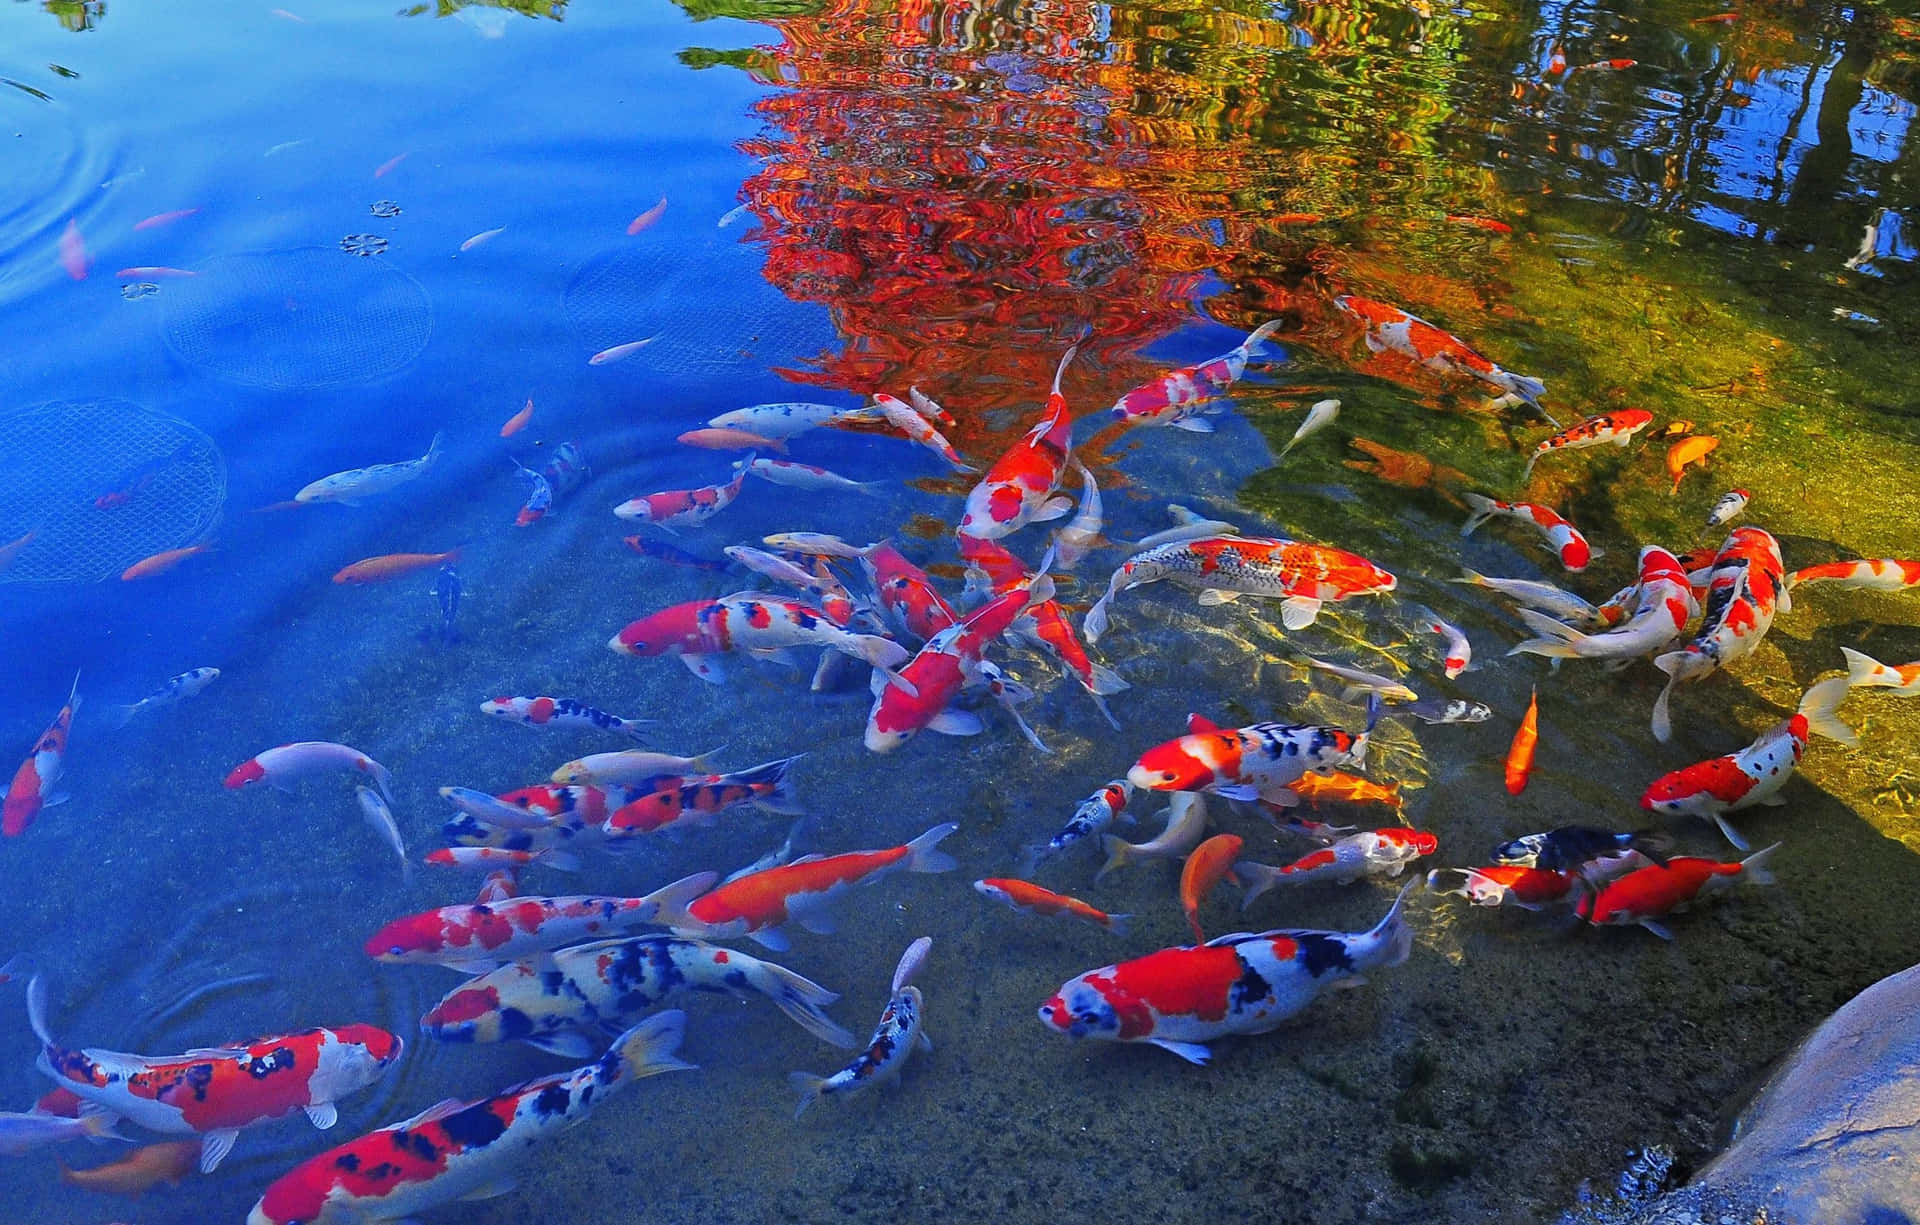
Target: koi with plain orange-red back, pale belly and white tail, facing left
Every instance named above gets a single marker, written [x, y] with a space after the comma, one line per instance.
[761, 903]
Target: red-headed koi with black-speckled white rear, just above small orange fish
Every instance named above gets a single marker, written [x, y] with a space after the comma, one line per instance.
[1259, 761]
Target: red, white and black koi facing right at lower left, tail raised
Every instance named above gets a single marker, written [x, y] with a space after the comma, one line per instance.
[218, 1092]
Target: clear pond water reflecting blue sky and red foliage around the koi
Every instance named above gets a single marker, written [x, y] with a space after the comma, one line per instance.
[948, 197]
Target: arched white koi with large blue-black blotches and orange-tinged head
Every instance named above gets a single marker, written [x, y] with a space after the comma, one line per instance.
[554, 1001]
